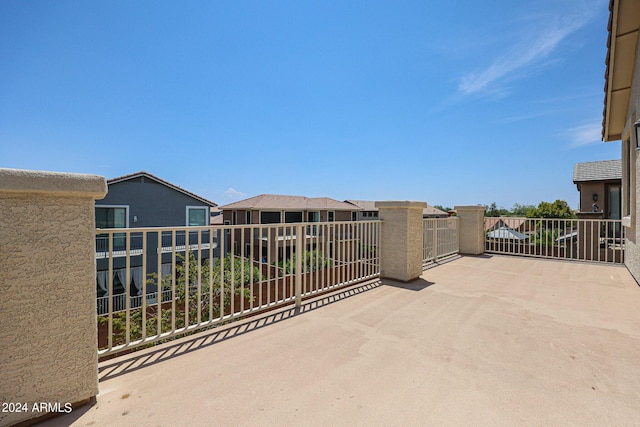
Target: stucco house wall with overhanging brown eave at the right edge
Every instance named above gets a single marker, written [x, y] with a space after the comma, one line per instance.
[621, 115]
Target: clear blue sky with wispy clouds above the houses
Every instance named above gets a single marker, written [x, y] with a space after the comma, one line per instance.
[461, 102]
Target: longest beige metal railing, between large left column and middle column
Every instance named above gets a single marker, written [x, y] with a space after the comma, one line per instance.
[224, 273]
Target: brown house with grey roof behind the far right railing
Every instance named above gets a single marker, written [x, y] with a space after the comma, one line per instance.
[599, 184]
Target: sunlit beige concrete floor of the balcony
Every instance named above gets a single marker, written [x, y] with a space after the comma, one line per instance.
[490, 340]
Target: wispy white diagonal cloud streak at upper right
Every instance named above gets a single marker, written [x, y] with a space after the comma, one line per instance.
[536, 43]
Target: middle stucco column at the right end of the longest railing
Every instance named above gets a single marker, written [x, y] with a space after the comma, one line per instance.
[401, 239]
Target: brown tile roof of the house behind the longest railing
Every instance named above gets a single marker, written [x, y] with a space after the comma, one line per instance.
[277, 201]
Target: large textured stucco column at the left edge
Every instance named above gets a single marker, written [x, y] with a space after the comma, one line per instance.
[48, 329]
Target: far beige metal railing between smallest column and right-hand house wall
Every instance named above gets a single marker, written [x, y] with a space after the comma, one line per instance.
[595, 240]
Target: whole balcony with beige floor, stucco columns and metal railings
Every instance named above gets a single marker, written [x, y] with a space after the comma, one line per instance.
[389, 326]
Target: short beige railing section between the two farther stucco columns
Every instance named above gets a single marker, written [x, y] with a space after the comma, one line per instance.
[440, 238]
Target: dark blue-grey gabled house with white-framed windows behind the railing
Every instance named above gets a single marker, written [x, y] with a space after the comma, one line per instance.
[144, 200]
